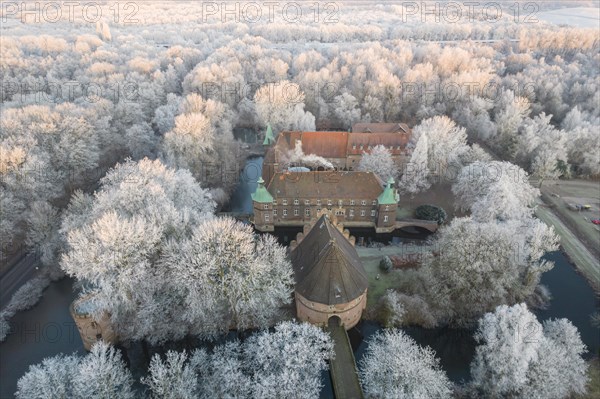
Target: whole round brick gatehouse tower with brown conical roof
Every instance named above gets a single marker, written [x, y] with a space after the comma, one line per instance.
[330, 279]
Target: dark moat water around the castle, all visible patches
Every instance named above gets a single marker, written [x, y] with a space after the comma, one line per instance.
[47, 329]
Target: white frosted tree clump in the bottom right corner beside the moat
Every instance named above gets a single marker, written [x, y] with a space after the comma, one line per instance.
[519, 357]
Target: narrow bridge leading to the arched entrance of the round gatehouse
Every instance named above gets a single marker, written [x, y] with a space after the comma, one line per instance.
[344, 376]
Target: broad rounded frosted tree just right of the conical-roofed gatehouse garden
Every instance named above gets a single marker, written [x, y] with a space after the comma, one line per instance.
[479, 266]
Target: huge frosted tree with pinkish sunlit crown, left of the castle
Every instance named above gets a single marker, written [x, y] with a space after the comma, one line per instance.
[115, 240]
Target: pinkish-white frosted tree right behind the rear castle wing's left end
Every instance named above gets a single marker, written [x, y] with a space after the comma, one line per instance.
[282, 105]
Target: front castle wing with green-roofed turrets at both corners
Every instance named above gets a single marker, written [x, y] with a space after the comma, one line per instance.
[357, 199]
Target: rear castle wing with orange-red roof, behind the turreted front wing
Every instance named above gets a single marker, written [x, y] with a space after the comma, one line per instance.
[343, 149]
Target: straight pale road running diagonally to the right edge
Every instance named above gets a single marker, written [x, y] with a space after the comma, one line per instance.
[585, 261]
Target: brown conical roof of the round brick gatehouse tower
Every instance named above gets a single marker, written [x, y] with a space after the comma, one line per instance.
[327, 268]
